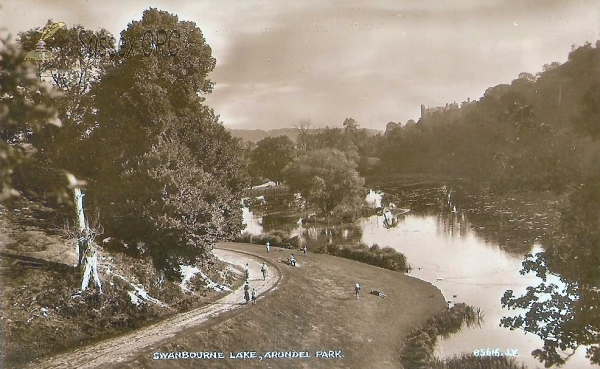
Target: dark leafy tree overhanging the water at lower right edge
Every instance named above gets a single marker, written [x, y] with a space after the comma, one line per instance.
[565, 315]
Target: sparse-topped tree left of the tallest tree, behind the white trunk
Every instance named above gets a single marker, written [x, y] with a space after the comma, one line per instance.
[80, 58]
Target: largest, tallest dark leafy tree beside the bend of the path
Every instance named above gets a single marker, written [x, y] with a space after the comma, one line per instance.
[164, 170]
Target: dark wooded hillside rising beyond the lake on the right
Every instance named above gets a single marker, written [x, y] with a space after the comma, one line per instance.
[517, 135]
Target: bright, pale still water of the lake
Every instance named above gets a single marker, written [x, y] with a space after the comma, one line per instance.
[443, 249]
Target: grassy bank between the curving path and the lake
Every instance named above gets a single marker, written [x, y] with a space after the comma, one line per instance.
[314, 308]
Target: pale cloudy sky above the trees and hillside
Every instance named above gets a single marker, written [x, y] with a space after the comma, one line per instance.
[282, 61]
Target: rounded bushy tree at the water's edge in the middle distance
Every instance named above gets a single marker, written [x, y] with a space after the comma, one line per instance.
[326, 178]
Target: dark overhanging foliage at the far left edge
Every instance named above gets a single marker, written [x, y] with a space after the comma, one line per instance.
[25, 107]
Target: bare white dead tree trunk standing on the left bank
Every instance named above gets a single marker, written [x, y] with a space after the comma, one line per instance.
[86, 250]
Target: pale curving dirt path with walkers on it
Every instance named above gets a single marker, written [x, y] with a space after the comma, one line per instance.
[123, 348]
